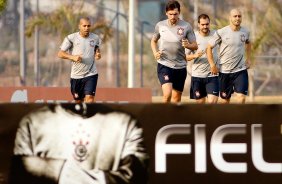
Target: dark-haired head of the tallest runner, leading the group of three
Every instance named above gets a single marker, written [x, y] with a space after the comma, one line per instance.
[172, 11]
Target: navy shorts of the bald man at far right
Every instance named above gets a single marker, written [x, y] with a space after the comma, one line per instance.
[233, 82]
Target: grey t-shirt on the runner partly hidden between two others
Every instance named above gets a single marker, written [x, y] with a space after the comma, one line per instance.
[201, 66]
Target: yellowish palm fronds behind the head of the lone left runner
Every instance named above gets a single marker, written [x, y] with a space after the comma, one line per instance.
[64, 21]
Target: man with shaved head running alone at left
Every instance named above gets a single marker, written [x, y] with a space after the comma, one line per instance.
[82, 49]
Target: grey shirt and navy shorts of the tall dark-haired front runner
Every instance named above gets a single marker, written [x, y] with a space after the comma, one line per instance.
[172, 64]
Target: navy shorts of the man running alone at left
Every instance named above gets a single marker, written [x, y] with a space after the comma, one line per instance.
[84, 86]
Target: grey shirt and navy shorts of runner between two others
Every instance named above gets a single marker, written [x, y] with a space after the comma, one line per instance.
[202, 81]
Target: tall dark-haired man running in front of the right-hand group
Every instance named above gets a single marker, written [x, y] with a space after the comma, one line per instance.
[174, 35]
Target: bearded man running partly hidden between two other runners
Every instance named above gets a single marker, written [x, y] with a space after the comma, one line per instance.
[203, 83]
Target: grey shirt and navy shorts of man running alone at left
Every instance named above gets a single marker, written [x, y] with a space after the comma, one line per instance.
[84, 74]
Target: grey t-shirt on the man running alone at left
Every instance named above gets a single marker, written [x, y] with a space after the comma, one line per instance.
[78, 45]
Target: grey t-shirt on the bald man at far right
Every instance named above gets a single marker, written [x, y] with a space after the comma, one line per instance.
[231, 48]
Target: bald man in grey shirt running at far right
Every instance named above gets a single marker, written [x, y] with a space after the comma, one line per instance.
[233, 40]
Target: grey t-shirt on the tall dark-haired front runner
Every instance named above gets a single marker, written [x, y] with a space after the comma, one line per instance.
[173, 53]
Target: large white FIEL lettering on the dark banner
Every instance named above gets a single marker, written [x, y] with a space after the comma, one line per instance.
[218, 148]
